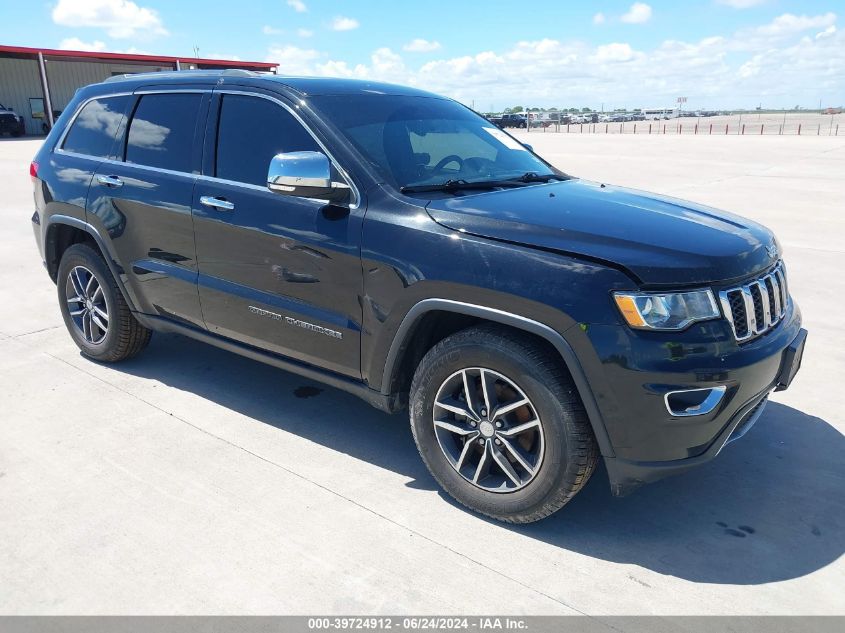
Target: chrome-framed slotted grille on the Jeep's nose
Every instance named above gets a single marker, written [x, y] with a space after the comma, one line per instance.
[756, 307]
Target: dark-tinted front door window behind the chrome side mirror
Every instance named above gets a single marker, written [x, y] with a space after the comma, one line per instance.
[250, 132]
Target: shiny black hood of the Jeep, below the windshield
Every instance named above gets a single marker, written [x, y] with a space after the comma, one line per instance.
[659, 240]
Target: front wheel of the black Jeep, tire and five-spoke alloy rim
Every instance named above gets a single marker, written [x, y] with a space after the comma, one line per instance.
[561, 450]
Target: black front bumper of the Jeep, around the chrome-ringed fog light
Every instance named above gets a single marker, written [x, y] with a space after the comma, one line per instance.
[632, 373]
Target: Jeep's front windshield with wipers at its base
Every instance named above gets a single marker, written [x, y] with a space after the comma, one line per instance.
[413, 141]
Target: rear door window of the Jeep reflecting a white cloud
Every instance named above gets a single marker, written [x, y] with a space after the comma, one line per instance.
[161, 133]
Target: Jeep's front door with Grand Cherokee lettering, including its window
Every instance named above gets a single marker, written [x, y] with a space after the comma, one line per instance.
[277, 272]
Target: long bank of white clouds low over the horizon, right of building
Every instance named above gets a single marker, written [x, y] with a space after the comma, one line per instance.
[778, 66]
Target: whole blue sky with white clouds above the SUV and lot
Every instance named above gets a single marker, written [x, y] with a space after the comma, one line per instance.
[718, 53]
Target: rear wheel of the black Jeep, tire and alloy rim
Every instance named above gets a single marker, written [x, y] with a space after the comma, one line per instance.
[123, 336]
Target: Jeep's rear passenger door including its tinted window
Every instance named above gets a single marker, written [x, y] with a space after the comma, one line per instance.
[143, 201]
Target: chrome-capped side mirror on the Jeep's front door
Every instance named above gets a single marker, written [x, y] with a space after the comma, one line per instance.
[305, 175]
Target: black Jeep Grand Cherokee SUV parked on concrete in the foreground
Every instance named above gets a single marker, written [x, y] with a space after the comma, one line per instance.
[394, 244]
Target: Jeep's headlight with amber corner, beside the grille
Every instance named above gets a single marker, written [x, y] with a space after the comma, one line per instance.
[666, 311]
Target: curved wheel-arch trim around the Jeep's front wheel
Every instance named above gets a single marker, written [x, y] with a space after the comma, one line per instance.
[514, 320]
